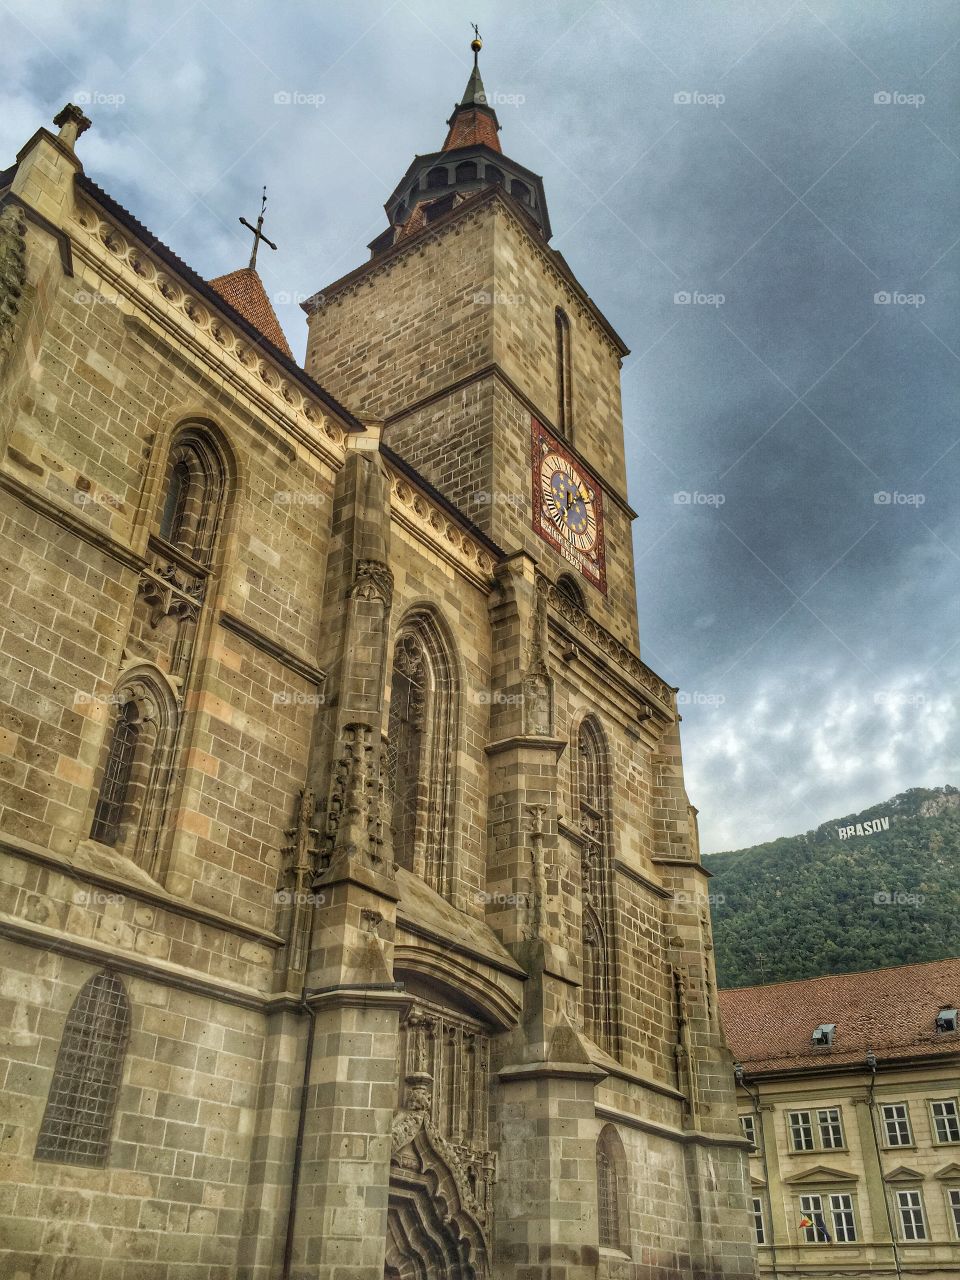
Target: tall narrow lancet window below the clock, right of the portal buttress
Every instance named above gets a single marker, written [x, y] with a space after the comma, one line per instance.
[595, 822]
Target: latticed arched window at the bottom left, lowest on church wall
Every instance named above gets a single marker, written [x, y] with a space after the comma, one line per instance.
[80, 1109]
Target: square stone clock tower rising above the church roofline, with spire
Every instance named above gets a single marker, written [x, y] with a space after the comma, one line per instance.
[493, 372]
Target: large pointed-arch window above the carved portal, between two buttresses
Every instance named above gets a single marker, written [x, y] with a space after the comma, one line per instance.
[422, 746]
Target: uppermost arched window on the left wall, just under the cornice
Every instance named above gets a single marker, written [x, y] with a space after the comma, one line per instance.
[194, 493]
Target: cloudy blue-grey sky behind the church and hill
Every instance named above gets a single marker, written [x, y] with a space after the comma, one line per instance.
[787, 167]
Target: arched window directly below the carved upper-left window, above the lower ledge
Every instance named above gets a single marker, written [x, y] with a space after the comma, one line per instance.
[135, 767]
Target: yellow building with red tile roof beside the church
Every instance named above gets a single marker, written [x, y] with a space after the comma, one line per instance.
[849, 1087]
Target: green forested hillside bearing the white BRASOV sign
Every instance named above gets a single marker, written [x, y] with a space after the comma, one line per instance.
[816, 904]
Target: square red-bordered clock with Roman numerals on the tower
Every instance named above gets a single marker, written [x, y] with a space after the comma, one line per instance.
[568, 506]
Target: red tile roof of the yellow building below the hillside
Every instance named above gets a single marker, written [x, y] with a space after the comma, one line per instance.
[889, 1011]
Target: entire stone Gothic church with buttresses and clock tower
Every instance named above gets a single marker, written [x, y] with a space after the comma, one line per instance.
[353, 920]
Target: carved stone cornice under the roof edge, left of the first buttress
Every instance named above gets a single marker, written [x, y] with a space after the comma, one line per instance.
[213, 333]
